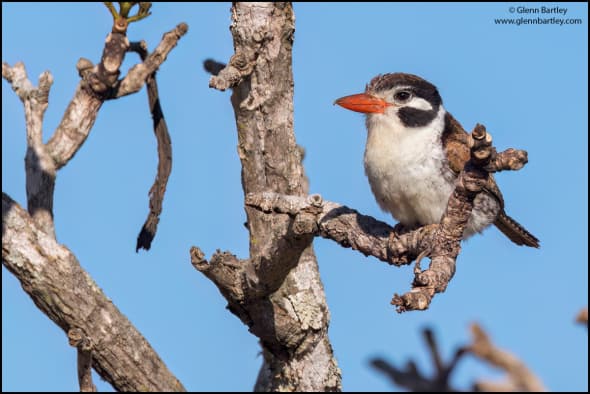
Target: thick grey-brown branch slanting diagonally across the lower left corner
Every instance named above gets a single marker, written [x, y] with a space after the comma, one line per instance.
[51, 275]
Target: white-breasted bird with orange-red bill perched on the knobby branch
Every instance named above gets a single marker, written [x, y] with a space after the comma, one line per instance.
[414, 153]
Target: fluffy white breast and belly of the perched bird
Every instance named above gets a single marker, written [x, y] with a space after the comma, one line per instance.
[404, 167]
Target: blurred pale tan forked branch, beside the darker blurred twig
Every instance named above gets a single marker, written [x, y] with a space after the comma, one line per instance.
[520, 378]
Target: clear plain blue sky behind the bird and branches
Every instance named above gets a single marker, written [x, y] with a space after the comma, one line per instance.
[528, 84]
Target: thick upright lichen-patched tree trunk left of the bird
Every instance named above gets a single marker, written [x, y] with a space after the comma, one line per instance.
[280, 294]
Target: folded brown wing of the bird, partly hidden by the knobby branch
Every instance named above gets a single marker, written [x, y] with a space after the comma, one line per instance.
[456, 143]
